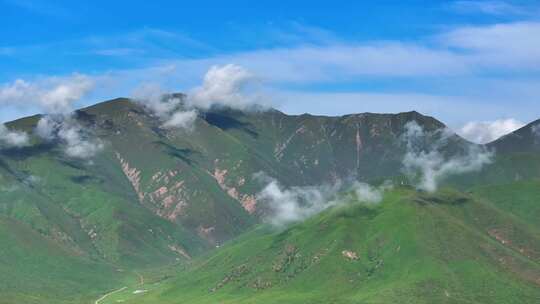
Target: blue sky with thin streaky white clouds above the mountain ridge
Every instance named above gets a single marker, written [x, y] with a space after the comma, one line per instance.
[475, 65]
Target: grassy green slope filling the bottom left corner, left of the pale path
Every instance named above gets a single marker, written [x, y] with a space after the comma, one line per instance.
[34, 269]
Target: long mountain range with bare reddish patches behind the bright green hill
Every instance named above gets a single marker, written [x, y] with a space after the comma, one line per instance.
[154, 196]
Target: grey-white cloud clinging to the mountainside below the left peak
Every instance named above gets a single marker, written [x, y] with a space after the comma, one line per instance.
[76, 141]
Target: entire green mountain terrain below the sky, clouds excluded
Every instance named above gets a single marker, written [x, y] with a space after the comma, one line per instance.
[72, 230]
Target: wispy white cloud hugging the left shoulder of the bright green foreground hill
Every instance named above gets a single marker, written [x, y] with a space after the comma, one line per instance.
[290, 205]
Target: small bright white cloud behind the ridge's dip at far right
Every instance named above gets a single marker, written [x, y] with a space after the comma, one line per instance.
[487, 131]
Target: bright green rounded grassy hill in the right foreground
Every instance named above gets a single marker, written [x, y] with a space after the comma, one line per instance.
[413, 248]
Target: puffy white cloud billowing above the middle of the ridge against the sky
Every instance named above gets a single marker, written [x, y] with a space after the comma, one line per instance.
[226, 85]
